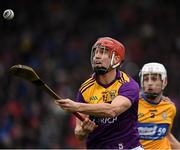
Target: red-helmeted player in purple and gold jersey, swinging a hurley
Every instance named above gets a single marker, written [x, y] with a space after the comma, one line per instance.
[108, 101]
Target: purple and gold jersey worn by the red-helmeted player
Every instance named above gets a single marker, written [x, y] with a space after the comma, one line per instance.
[114, 133]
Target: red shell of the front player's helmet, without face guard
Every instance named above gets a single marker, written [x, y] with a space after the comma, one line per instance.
[112, 45]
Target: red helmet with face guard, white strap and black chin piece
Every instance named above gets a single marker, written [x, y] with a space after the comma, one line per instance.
[114, 48]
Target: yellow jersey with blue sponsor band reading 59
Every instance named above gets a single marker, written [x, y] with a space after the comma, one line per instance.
[155, 121]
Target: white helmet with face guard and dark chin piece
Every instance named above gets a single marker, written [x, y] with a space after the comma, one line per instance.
[153, 68]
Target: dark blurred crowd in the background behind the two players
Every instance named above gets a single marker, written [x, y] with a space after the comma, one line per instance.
[54, 37]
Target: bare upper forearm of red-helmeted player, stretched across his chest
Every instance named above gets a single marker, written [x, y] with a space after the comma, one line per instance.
[102, 110]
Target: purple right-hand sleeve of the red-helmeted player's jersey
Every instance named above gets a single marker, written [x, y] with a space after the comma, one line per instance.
[130, 90]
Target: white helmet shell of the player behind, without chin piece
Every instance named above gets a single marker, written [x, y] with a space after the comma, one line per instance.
[154, 68]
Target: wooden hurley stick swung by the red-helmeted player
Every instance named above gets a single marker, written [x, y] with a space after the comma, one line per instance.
[27, 73]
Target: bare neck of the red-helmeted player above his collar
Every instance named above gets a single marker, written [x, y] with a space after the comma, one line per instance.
[108, 77]
